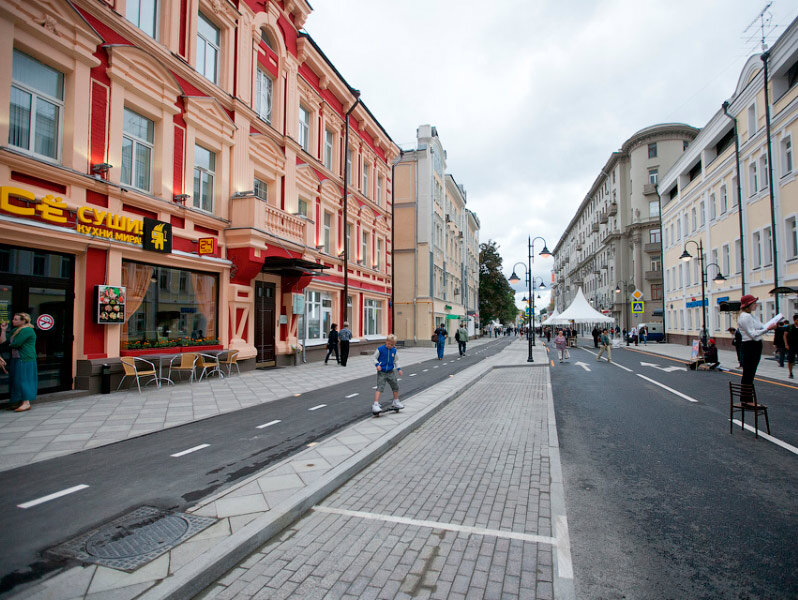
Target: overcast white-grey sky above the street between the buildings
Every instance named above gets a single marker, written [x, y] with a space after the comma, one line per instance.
[530, 97]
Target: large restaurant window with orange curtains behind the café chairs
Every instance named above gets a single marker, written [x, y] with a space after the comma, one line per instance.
[160, 315]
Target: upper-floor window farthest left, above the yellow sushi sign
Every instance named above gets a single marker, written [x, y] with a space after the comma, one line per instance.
[37, 102]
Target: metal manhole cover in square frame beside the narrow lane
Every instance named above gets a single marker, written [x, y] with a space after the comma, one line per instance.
[134, 539]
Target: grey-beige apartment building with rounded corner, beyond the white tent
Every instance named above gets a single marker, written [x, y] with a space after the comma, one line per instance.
[612, 245]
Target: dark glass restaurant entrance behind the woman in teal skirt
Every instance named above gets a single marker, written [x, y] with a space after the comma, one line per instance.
[42, 285]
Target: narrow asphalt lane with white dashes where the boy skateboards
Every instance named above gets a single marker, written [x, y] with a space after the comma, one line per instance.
[142, 471]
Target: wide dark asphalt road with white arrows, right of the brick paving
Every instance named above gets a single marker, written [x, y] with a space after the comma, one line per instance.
[663, 503]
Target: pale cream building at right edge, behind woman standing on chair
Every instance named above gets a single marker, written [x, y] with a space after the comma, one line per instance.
[753, 243]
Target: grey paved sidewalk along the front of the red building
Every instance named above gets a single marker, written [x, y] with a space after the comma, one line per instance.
[56, 428]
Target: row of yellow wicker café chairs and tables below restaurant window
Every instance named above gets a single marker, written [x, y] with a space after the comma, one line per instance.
[178, 367]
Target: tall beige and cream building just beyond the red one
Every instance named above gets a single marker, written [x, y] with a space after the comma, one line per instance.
[436, 250]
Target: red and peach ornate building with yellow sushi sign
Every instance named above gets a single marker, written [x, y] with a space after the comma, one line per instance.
[192, 153]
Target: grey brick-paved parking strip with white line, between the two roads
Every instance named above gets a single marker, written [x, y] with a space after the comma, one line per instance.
[462, 508]
